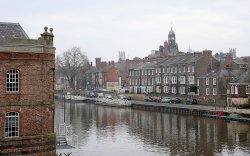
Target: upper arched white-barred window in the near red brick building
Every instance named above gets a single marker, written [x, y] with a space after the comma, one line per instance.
[12, 80]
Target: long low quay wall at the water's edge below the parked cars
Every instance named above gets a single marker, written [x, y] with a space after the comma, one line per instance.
[215, 112]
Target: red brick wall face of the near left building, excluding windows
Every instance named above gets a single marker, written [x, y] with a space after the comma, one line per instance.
[34, 102]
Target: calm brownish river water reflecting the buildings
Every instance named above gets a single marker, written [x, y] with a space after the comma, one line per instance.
[108, 131]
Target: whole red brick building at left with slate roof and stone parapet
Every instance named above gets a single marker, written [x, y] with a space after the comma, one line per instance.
[26, 92]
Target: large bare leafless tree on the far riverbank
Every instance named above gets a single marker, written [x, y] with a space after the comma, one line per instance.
[72, 63]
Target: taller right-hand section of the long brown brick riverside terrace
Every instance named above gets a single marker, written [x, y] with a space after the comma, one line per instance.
[177, 75]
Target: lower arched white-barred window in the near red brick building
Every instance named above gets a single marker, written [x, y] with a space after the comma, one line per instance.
[11, 124]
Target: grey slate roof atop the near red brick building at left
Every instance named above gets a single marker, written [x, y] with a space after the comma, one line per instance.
[12, 30]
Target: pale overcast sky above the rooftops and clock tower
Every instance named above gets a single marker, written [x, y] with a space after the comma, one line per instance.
[101, 28]
